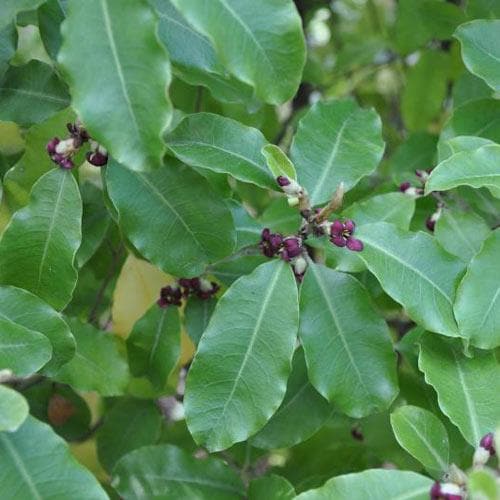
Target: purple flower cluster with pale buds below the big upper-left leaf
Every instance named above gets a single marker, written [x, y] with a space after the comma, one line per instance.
[63, 151]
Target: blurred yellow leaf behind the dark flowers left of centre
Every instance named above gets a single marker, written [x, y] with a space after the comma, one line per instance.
[137, 288]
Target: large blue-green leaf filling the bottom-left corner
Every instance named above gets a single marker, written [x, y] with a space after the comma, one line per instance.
[50, 472]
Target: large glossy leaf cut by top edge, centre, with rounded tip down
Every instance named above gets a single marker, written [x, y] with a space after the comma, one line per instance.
[260, 42]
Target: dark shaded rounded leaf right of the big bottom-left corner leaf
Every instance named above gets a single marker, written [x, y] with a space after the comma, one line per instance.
[130, 424]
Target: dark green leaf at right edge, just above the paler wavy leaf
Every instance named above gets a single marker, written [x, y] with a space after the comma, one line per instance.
[478, 118]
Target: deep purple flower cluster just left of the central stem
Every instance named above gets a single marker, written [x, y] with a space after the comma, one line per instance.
[288, 248]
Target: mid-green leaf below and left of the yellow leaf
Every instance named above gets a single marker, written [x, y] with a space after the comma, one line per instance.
[99, 363]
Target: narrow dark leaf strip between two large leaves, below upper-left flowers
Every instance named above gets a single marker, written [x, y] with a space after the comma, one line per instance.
[95, 222]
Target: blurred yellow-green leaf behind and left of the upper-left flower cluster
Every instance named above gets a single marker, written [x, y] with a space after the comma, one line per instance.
[35, 161]
